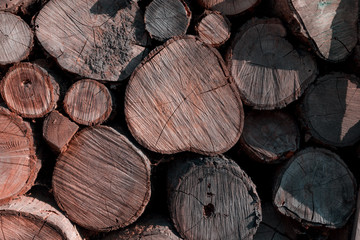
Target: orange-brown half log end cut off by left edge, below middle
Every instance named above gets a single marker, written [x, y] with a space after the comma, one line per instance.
[18, 163]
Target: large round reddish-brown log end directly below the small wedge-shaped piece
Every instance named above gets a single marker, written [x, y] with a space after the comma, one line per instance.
[102, 181]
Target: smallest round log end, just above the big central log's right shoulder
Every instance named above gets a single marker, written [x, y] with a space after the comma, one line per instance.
[214, 28]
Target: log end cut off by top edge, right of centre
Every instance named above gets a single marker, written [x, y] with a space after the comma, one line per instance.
[229, 7]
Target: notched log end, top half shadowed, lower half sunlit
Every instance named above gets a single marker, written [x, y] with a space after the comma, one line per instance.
[269, 72]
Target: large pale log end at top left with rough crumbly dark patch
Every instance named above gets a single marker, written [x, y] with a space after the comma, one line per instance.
[98, 39]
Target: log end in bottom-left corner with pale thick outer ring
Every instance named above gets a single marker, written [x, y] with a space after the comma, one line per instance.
[30, 218]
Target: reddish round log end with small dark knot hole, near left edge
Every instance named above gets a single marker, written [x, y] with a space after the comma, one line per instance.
[29, 90]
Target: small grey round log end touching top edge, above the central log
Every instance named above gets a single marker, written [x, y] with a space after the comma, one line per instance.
[165, 19]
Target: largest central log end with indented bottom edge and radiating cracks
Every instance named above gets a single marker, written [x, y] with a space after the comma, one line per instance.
[176, 103]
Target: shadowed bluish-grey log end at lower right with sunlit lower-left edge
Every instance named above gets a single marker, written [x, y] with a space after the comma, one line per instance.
[317, 189]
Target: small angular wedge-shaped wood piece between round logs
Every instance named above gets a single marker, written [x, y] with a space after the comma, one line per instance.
[58, 131]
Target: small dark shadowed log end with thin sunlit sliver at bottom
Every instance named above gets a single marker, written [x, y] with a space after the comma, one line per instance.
[270, 137]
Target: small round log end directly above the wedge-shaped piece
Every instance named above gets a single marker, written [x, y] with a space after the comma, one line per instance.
[88, 102]
